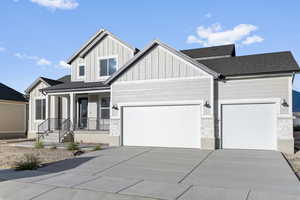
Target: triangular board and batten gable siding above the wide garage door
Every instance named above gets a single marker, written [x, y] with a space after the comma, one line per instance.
[159, 63]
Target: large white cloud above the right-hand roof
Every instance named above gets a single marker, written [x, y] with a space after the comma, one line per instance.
[215, 35]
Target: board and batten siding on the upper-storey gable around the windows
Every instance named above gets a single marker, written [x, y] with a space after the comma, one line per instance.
[107, 47]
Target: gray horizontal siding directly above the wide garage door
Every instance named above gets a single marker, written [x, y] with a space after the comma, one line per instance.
[150, 91]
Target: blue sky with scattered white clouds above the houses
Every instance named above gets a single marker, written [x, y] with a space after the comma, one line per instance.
[38, 36]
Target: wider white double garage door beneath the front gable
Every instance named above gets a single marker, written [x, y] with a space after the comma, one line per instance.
[162, 126]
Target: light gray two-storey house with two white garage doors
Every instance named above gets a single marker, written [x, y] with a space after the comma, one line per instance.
[198, 98]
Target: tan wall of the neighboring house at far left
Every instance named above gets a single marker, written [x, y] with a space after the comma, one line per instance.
[13, 117]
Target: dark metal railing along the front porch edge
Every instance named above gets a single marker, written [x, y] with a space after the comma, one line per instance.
[92, 124]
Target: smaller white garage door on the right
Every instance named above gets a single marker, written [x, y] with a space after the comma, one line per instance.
[249, 126]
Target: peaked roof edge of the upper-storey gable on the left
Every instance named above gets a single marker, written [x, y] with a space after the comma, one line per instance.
[93, 41]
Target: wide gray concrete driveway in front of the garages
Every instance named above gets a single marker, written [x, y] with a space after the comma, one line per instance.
[157, 173]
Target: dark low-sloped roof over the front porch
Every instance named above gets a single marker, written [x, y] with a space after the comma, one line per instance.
[78, 85]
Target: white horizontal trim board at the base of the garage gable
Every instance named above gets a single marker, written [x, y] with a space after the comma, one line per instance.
[163, 80]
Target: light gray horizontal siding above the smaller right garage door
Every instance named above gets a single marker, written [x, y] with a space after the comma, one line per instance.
[259, 88]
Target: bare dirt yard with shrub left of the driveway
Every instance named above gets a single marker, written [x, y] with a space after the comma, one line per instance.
[9, 155]
